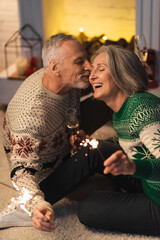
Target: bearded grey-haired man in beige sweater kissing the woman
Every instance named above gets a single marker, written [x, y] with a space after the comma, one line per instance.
[35, 136]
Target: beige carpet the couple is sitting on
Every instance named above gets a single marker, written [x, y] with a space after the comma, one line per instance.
[67, 225]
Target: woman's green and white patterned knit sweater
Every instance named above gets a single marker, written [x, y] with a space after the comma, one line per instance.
[137, 124]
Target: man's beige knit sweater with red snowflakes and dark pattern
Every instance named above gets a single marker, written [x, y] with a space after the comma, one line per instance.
[35, 135]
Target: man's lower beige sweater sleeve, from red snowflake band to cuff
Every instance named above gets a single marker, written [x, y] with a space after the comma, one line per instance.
[25, 165]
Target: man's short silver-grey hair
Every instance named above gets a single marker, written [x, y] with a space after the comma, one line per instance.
[51, 47]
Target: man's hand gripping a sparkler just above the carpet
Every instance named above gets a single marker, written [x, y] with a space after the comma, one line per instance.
[42, 219]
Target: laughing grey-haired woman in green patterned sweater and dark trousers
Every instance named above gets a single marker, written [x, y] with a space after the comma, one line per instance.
[119, 79]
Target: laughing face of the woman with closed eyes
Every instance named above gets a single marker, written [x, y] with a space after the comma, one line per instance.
[101, 80]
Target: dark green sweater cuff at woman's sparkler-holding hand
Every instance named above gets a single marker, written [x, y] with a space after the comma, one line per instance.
[143, 168]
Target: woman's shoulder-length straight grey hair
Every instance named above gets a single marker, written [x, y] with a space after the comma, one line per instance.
[126, 69]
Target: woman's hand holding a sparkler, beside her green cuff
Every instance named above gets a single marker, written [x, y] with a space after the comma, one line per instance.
[118, 163]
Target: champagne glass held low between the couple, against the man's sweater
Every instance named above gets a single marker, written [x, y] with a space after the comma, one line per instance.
[72, 121]
